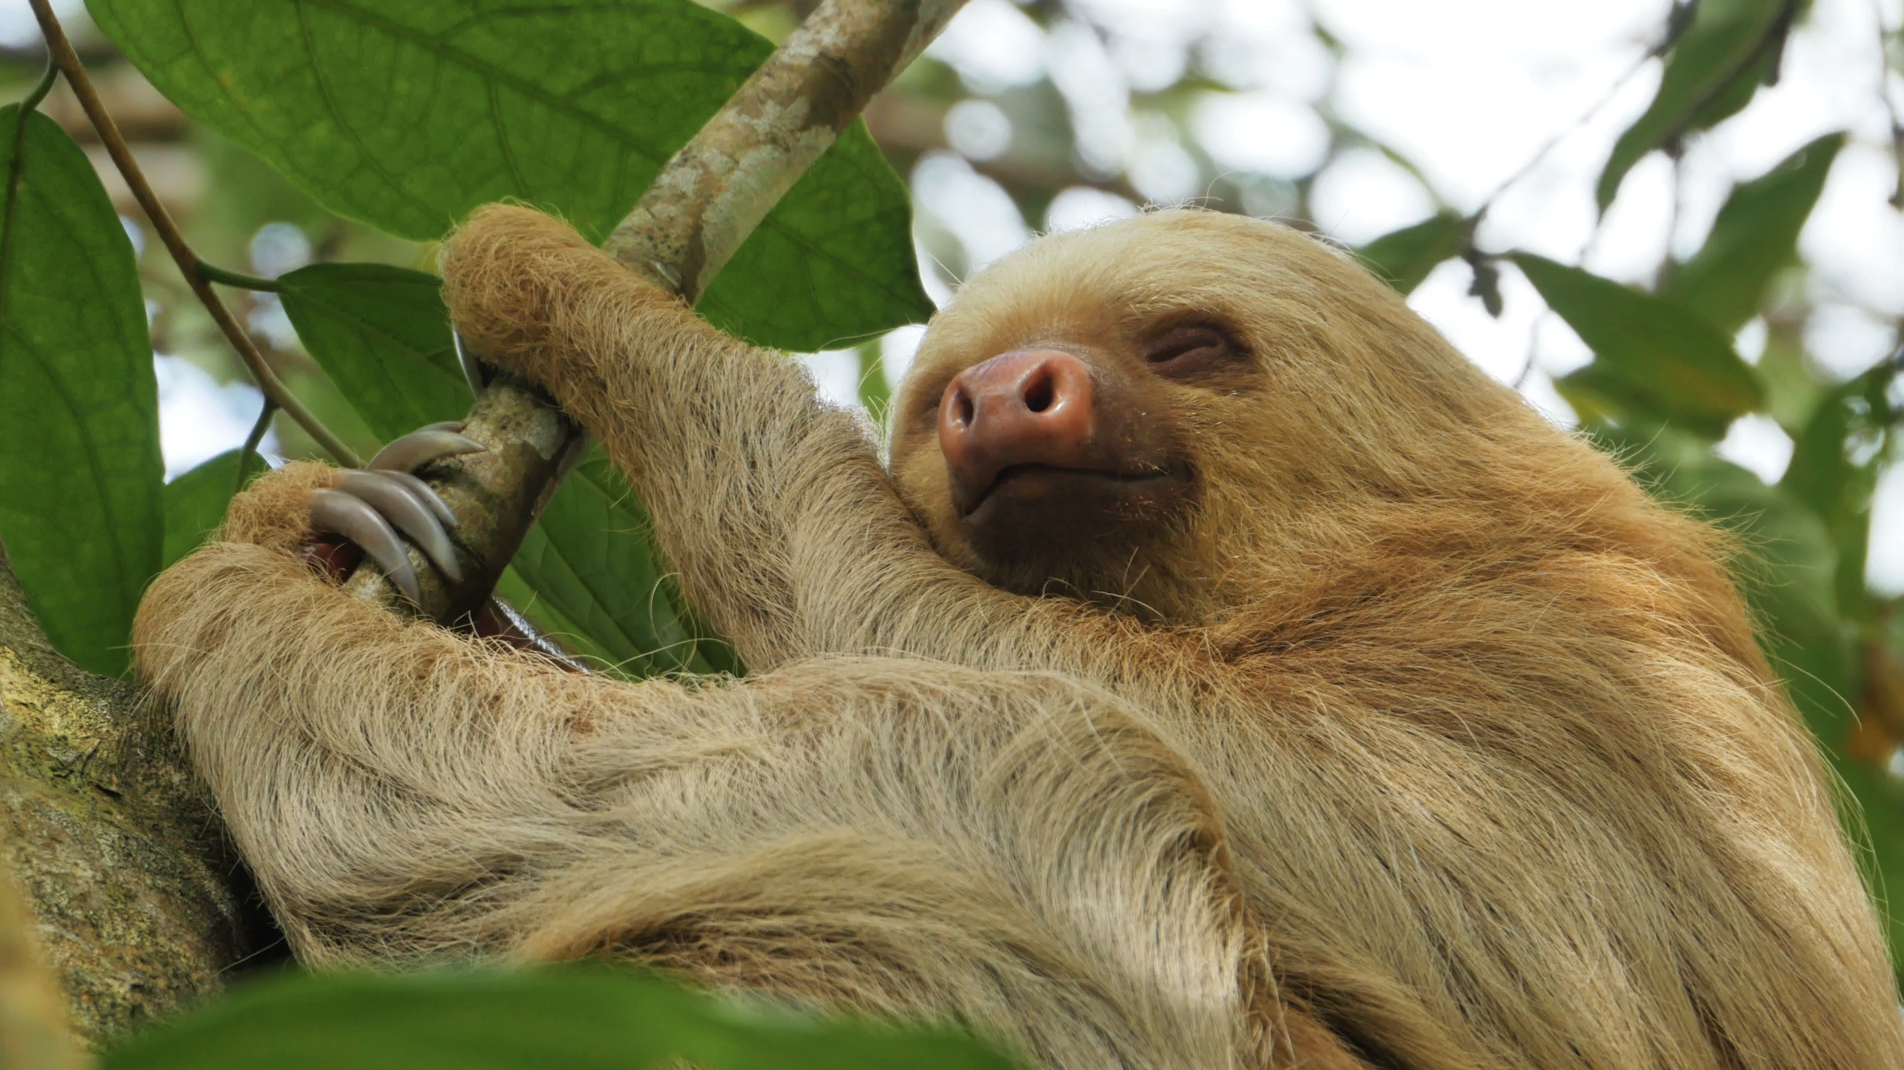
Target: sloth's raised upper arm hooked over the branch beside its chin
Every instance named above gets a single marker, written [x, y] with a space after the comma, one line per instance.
[774, 507]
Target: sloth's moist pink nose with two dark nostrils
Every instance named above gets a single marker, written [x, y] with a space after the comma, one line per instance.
[1031, 406]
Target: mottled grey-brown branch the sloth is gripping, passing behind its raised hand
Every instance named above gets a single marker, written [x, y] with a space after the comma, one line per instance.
[690, 222]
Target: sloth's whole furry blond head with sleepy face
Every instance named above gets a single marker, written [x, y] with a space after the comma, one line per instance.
[1143, 412]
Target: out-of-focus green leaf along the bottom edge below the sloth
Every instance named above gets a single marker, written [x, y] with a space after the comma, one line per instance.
[576, 1020]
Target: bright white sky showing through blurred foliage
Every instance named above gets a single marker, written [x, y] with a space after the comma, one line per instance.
[1471, 90]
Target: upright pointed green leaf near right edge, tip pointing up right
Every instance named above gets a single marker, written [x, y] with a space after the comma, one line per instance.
[1755, 237]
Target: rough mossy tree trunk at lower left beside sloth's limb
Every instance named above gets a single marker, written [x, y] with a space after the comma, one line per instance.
[121, 858]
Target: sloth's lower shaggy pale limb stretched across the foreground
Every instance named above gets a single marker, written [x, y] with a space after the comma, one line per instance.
[898, 837]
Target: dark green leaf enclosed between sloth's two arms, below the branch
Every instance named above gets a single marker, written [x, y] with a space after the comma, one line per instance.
[593, 563]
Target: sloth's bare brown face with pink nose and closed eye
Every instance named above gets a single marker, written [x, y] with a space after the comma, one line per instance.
[1063, 460]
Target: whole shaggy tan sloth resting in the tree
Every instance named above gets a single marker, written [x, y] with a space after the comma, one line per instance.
[1220, 673]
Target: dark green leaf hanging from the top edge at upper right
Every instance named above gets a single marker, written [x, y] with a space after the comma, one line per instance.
[1711, 73]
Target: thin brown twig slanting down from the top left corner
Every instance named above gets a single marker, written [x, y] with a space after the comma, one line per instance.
[189, 266]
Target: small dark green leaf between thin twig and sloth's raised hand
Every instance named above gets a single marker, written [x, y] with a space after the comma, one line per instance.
[384, 338]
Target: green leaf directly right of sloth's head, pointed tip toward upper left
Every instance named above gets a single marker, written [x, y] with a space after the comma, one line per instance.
[1654, 359]
